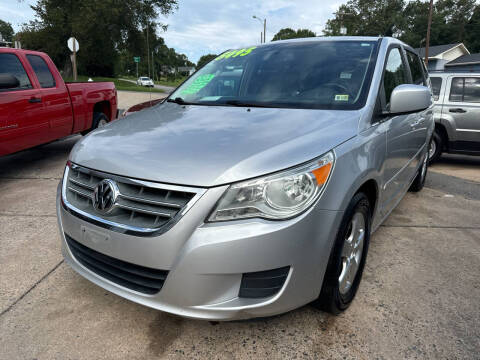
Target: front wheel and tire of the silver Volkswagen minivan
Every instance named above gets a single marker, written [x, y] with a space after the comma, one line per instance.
[339, 284]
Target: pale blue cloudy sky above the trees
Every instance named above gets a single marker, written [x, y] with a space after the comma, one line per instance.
[198, 27]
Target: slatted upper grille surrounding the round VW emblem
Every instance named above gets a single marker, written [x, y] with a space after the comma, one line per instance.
[139, 204]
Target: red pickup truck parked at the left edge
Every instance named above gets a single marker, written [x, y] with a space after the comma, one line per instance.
[37, 106]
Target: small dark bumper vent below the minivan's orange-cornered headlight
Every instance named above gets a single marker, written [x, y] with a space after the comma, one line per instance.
[262, 284]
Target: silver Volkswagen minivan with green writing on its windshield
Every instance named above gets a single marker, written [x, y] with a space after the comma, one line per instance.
[254, 188]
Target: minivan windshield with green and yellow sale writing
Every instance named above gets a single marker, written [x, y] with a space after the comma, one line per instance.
[314, 74]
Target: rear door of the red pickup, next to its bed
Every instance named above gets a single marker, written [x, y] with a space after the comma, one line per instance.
[56, 108]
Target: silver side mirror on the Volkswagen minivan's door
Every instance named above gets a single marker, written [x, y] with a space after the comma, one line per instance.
[407, 98]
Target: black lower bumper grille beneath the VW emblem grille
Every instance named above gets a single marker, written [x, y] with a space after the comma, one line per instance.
[134, 277]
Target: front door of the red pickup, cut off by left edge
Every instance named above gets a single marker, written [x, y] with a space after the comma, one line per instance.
[19, 127]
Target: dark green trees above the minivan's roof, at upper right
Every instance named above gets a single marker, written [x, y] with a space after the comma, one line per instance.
[452, 21]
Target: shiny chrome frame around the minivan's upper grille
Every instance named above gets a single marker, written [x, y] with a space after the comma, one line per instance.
[129, 229]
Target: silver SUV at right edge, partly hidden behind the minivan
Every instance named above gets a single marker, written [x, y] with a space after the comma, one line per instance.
[456, 113]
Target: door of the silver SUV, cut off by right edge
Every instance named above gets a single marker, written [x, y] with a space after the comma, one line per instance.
[462, 104]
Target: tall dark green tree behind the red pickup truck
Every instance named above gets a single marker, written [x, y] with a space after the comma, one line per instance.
[105, 29]
